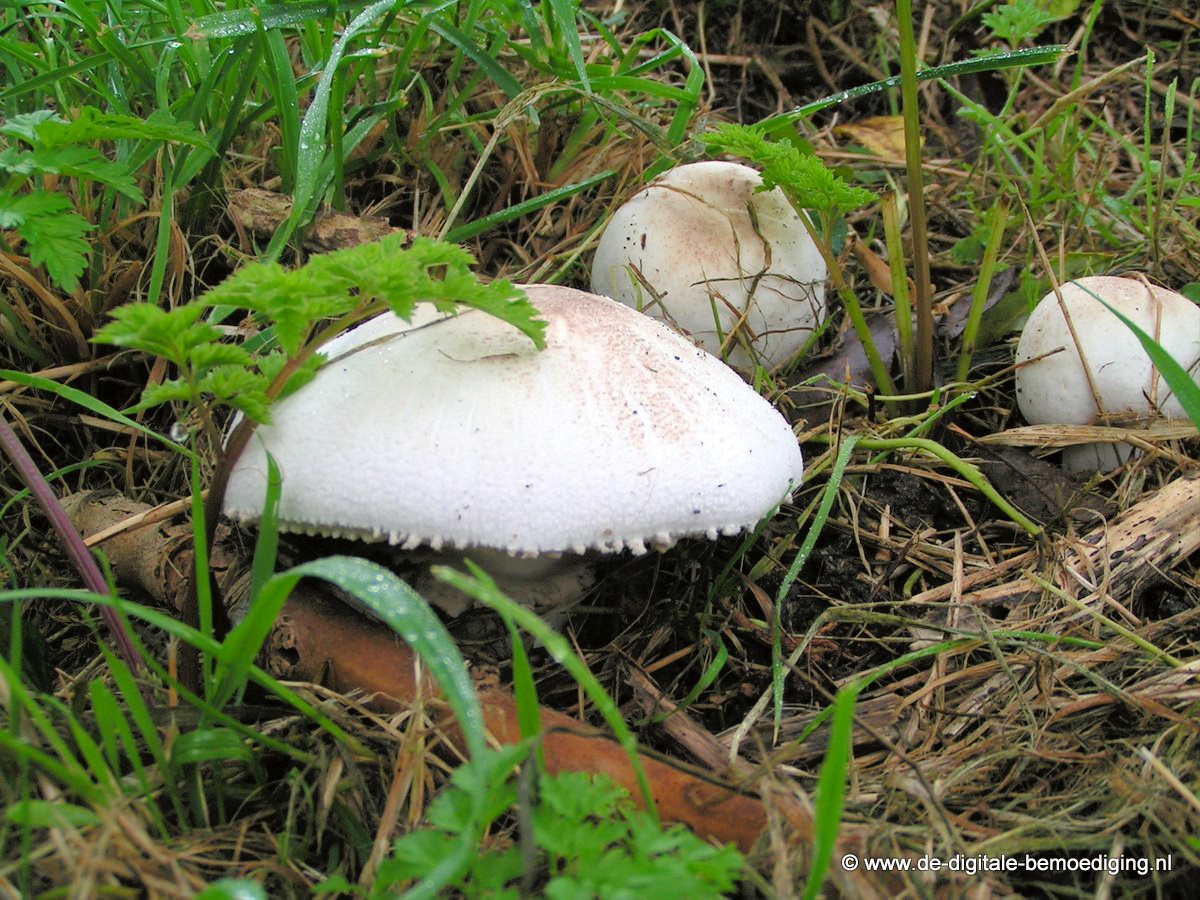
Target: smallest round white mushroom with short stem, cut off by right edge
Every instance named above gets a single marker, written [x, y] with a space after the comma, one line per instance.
[1055, 389]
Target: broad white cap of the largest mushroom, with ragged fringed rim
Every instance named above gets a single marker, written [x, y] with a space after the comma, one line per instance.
[460, 433]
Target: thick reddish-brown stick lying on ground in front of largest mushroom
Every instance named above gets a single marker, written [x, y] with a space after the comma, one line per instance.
[321, 640]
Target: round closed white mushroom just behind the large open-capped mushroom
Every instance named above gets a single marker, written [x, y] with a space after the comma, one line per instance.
[687, 250]
